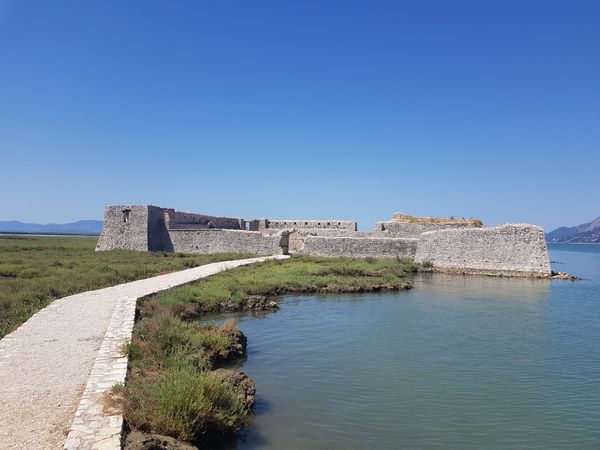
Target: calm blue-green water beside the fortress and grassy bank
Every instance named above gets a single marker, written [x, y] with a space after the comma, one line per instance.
[456, 363]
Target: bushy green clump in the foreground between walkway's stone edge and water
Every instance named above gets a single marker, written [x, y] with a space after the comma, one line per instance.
[170, 387]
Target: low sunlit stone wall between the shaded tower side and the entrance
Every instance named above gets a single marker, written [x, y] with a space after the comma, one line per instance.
[226, 241]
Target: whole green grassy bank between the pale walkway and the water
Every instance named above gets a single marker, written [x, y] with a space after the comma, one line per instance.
[171, 388]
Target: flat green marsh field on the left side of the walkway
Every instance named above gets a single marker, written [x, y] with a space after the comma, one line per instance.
[35, 270]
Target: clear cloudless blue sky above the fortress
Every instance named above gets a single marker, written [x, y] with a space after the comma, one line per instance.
[303, 109]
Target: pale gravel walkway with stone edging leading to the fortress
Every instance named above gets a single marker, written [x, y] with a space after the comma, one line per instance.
[45, 365]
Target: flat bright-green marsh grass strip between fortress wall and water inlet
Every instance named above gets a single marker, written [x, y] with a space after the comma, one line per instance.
[277, 277]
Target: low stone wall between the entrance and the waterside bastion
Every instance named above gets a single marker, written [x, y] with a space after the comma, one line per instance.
[359, 247]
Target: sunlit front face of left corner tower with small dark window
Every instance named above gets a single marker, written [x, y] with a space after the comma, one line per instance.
[126, 227]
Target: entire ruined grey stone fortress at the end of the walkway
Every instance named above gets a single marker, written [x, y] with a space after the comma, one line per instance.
[448, 245]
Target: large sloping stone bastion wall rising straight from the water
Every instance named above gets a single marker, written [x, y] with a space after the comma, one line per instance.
[506, 250]
